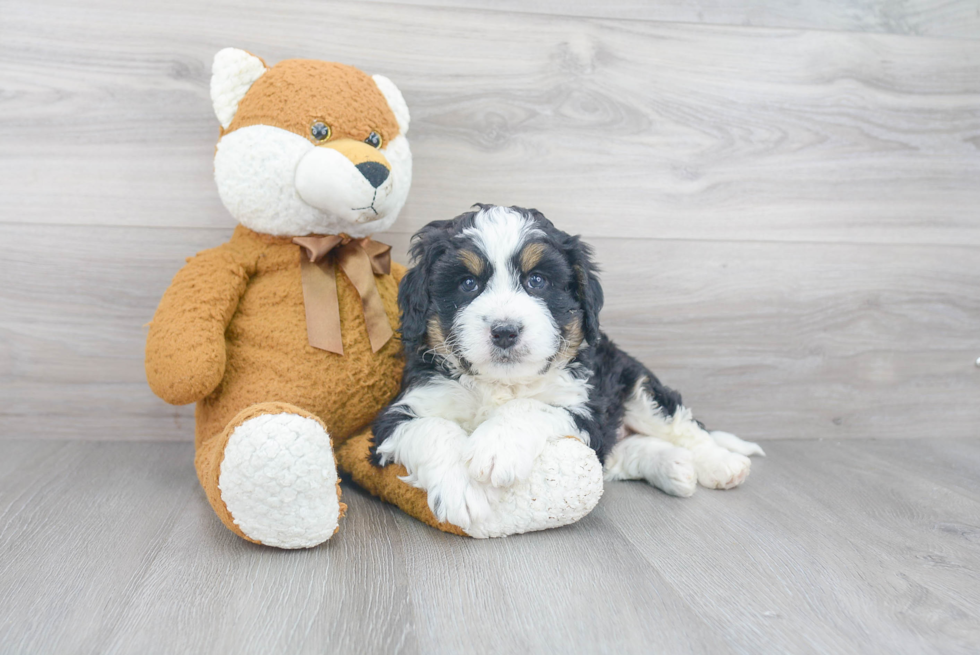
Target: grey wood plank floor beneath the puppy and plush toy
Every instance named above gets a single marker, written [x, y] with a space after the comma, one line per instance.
[831, 547]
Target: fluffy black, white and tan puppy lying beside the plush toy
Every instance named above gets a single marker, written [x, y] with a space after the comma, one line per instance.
[500, 323]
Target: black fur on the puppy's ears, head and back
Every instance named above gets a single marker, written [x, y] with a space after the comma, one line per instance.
[575, 293]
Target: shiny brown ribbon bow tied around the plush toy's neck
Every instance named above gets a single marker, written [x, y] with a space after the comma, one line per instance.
[361, 260]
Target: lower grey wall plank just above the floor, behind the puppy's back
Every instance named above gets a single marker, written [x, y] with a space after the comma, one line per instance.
[767, 340]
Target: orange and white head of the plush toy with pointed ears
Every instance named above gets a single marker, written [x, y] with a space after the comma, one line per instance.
[309, 147]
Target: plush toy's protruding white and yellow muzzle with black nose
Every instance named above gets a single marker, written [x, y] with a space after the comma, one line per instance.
[346, 178]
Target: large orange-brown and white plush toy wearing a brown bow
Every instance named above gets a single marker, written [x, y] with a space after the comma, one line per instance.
[286, 336]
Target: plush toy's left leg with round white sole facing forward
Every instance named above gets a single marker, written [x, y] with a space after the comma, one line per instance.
[271, 477]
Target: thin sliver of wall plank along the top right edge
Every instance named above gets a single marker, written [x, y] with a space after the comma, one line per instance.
[957, 19]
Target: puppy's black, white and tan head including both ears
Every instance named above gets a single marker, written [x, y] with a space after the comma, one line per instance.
[505, 293]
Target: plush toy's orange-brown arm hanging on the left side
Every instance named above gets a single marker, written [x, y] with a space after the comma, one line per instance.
[185, 347]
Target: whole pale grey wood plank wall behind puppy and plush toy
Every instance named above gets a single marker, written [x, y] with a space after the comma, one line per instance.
[785, 197]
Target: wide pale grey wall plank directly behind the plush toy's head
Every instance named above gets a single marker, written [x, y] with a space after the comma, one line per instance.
[616, 128]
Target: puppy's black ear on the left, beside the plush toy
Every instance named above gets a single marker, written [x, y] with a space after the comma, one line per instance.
[414, 298]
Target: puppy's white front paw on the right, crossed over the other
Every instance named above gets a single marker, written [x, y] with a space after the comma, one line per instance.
[499, 457]
